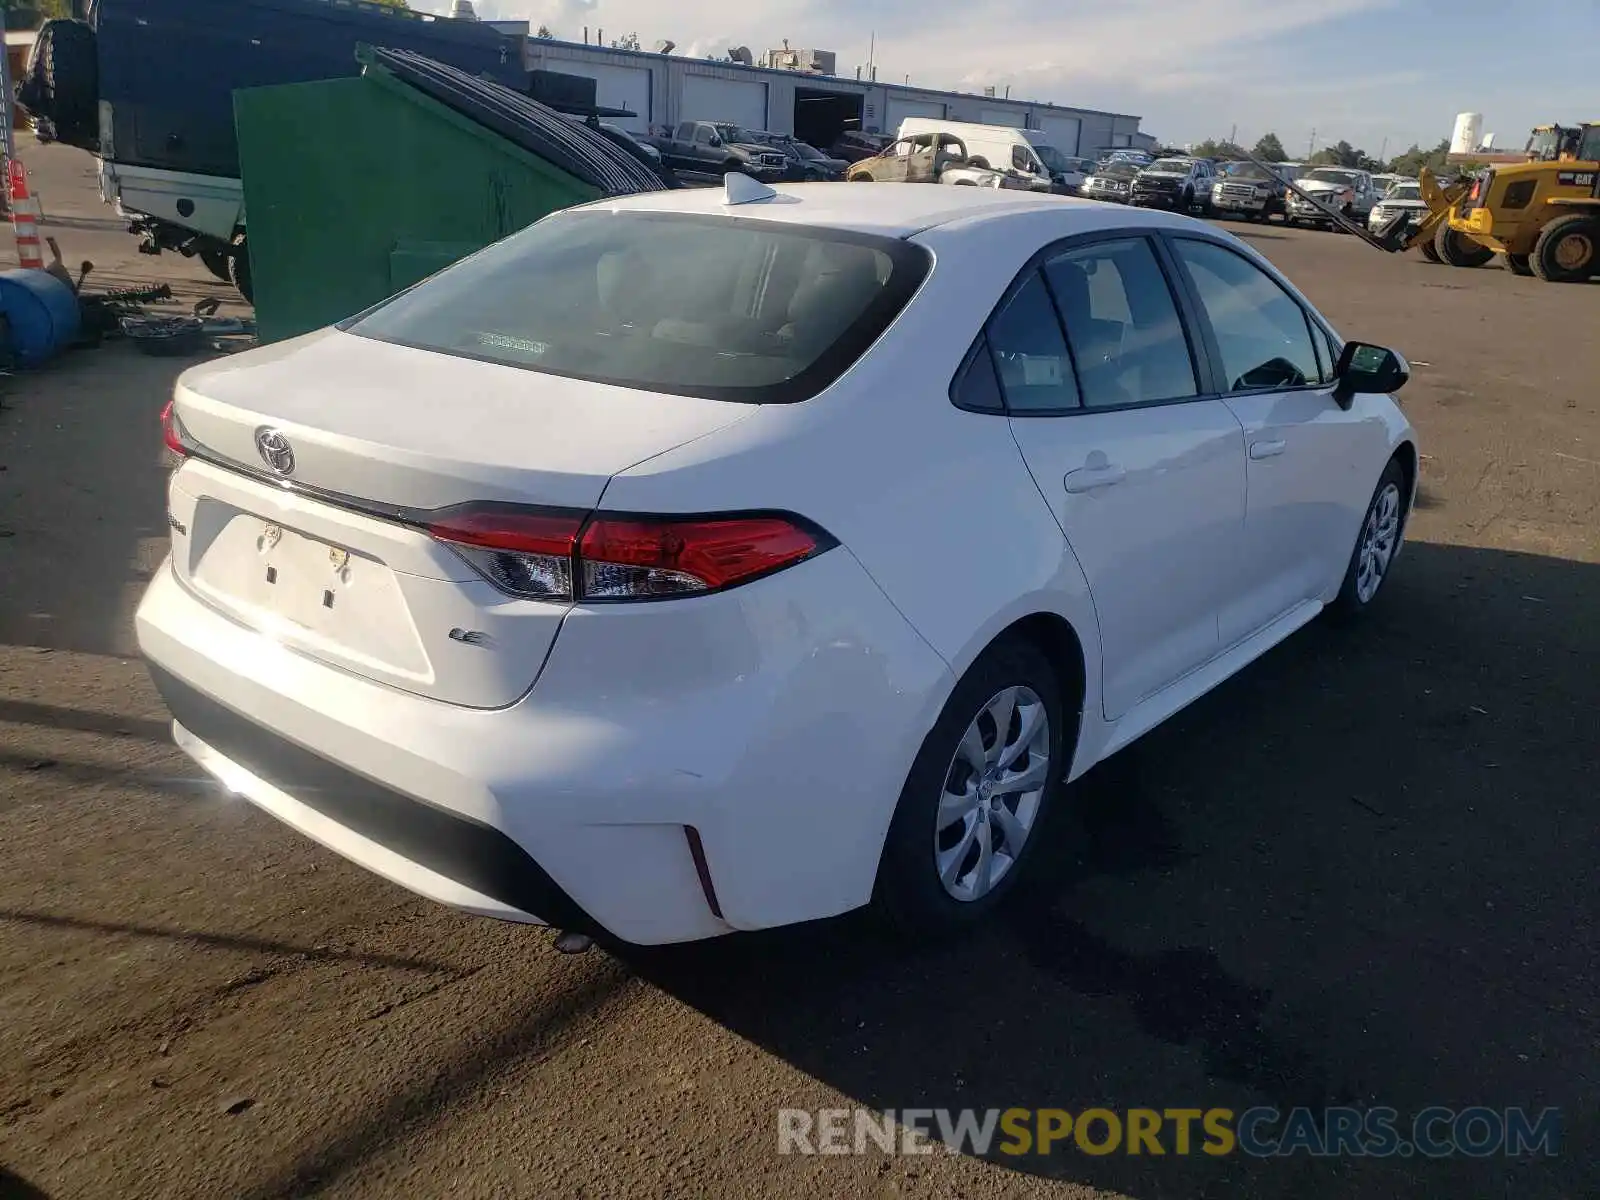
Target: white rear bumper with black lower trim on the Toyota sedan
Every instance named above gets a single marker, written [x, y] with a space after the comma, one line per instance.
[777, 722]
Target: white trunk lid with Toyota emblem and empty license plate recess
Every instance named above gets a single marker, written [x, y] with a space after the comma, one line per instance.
[318, 463]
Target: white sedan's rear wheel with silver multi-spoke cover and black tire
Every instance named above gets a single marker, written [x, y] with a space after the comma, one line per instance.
[970, 812]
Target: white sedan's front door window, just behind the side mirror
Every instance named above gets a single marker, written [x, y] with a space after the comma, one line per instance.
[1262, 332]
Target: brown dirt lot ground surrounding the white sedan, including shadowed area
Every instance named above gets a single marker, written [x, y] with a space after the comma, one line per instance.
[1361, 873]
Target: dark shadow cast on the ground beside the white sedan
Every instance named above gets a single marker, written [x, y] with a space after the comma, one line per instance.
[1358, 874]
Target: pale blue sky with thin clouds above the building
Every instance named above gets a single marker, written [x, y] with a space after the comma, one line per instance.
[1380, 74]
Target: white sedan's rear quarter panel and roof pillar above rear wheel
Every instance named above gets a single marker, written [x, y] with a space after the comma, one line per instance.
[937, 503]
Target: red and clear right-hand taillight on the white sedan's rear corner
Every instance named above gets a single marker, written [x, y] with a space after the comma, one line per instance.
[567, 556]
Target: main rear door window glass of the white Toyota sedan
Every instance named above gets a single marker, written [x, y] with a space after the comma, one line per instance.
[1124, 327]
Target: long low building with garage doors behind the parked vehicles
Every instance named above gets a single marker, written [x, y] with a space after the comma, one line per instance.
[665, 90]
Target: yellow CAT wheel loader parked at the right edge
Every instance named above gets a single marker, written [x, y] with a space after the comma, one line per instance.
[1543, 217]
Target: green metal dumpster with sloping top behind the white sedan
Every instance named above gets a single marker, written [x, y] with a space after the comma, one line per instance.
[359, 188]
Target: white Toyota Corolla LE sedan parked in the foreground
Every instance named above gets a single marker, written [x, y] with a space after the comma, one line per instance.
[711, 561]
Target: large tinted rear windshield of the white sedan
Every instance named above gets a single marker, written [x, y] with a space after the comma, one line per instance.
[718, 308]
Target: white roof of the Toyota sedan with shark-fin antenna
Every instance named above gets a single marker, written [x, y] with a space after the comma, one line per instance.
[889, 210]
